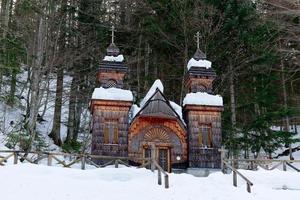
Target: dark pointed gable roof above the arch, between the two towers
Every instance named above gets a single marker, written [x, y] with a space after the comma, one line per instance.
[158, 106]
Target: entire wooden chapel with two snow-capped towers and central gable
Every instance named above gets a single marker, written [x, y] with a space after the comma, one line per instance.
[186, 136]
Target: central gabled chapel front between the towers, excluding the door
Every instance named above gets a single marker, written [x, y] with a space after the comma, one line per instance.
[158, 124]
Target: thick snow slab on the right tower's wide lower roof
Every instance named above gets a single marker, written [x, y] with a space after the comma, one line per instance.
[202, 98]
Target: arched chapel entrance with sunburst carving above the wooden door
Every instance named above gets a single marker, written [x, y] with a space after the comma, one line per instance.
[160, 142]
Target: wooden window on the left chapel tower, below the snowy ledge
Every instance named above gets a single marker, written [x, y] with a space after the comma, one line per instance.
[111, 133]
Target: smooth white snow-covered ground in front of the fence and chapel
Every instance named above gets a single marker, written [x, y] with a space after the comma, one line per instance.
[27, 181]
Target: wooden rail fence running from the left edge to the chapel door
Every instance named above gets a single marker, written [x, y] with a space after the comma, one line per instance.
[35, 157]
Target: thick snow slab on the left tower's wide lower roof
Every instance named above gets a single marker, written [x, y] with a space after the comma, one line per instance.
[112, 94]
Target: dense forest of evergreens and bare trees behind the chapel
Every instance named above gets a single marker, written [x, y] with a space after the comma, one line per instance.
[254, 46]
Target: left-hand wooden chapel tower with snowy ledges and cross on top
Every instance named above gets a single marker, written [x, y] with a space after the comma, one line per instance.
[110, 107]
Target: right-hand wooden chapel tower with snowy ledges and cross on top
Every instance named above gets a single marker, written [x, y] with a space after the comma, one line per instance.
[203, 118]
